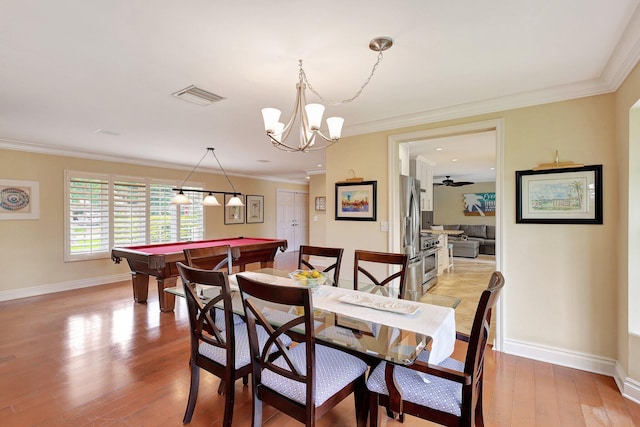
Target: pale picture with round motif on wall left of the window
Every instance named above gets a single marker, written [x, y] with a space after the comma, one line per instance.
[19, 199]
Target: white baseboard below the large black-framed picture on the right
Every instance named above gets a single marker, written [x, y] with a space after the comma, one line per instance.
[582, 361]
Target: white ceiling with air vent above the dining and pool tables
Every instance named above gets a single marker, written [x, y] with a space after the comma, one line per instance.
[68, 68]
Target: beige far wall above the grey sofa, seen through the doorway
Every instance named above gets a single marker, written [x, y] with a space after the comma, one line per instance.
[448, 204]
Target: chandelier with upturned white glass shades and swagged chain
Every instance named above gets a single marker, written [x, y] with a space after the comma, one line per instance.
[310, 115]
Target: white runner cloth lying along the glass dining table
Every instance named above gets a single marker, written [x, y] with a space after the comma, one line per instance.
[432, 320]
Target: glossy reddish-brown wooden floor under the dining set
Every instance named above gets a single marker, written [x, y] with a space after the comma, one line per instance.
[93, 357]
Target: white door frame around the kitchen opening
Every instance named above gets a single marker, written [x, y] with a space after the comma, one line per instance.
[395, 145]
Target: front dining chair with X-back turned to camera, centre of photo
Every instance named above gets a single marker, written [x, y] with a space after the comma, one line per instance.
[308, 379]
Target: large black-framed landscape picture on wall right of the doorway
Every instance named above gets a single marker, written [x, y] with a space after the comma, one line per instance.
[559, 196]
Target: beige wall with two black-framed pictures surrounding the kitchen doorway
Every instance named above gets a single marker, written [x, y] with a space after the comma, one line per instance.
[561, 279]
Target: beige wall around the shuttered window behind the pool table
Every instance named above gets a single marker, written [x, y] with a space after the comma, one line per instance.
[33, 249]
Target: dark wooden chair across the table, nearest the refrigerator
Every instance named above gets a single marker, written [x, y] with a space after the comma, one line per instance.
[366, 261]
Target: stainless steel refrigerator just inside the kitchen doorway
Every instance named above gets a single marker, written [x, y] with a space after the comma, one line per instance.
[410, 225]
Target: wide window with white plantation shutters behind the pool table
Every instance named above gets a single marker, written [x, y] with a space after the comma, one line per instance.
[105, 211]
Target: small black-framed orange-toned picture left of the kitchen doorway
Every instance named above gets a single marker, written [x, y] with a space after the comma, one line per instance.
[356, 201]
